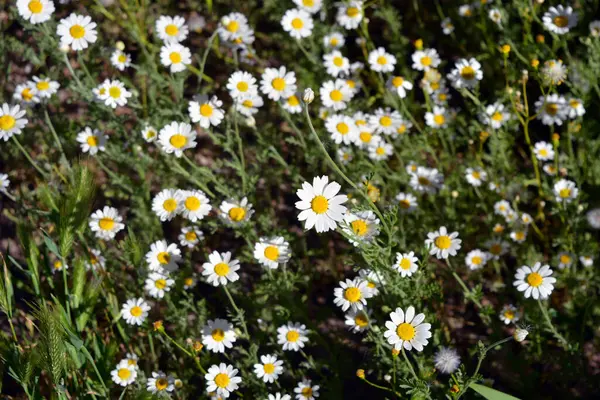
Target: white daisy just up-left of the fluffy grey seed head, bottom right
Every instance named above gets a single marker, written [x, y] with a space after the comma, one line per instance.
[405, 330]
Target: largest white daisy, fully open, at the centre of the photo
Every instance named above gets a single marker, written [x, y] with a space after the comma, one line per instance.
[320, 204]
